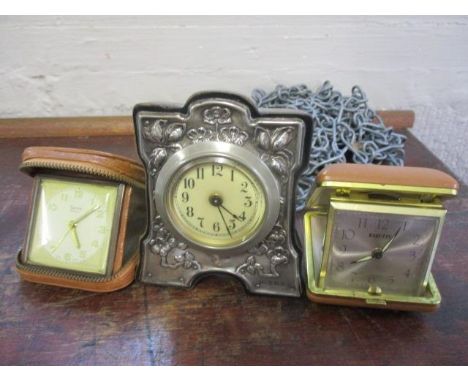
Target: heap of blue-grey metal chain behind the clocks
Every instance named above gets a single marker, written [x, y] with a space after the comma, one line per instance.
[345, 130]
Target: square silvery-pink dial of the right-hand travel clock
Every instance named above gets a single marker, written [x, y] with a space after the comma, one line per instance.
[380, 252]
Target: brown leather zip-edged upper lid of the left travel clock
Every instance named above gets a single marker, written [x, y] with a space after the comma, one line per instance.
[85, 161]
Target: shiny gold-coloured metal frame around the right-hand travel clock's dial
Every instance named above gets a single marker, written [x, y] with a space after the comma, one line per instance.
[395, 199]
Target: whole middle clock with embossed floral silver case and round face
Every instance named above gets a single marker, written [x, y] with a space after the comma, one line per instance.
[221, 180]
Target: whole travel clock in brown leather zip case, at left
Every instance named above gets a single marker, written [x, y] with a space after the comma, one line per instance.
[87, 214]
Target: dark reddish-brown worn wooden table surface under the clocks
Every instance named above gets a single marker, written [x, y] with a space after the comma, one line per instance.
[217, 322]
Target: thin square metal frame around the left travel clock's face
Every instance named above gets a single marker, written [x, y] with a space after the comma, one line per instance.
[114, 235]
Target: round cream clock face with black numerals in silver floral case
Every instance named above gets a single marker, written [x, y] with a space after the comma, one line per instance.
[217, 203]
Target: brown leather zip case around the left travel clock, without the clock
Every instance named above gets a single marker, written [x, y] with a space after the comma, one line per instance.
[91, 164]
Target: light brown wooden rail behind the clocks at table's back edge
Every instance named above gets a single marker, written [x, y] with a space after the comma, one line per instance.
[123, 125]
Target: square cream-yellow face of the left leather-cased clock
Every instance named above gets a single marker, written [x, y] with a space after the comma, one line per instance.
[72, 225]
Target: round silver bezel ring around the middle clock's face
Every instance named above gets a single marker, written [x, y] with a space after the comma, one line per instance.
[183, 159]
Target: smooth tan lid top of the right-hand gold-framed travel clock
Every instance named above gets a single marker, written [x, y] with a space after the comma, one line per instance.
[387, 175]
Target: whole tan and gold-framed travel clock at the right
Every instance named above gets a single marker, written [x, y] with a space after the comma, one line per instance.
[371, 233]
